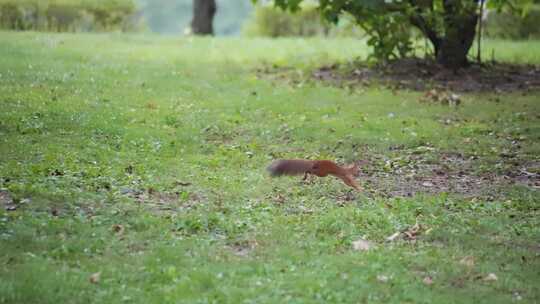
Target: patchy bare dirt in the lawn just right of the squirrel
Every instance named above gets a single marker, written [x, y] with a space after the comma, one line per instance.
[453, 173]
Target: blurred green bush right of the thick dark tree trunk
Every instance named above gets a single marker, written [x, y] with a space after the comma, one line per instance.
[509, 26]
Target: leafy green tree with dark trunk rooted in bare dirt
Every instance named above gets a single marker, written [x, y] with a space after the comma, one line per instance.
[389, 23]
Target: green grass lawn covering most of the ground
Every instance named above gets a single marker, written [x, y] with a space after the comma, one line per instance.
[89, 121]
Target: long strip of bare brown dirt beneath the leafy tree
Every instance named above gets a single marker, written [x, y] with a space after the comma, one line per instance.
[421, 75]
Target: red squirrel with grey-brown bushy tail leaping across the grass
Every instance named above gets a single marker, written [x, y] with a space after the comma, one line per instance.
[320, 168]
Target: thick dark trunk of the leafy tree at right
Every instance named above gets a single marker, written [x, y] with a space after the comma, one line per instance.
[460, 29]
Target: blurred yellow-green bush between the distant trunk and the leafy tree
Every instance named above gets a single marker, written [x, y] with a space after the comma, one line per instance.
[268, 21]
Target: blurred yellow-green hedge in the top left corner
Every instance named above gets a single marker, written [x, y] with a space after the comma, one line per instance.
[69, 15]
